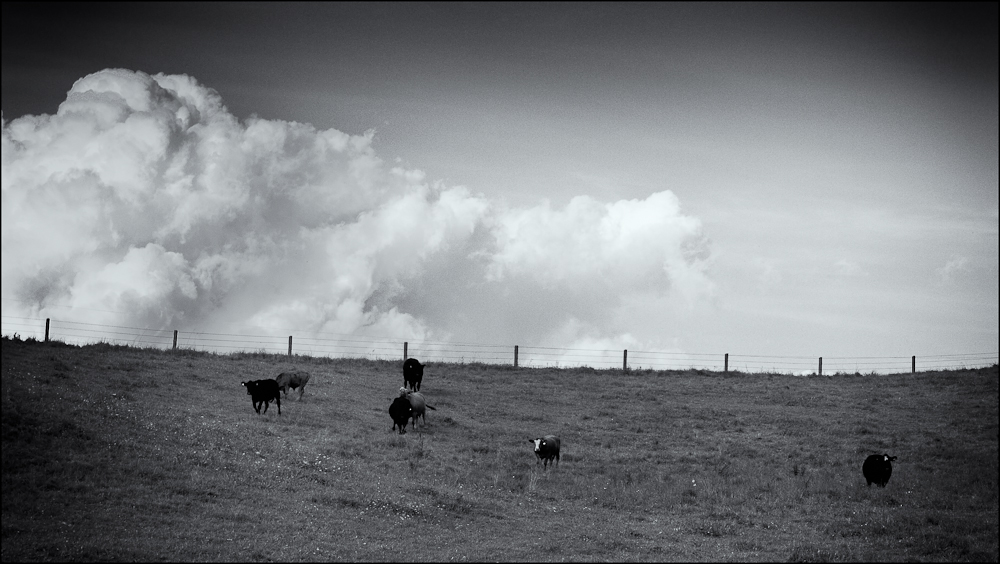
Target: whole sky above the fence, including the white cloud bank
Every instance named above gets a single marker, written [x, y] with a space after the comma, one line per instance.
[747, 178]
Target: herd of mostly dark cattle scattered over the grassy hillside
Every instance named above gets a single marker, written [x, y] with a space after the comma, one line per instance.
[411, 405]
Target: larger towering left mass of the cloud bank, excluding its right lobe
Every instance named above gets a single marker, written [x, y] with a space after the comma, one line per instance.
[142, 195]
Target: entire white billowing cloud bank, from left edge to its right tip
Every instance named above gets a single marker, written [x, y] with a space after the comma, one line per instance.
[143, 202]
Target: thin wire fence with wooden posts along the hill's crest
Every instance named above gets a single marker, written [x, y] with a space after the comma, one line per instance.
[352, 346]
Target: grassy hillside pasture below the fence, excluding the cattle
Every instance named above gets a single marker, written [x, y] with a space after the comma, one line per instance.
[117, 453]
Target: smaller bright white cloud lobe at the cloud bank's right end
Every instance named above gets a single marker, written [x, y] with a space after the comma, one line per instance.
[629, 244]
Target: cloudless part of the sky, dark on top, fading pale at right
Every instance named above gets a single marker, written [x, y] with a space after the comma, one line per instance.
[839, 158]
